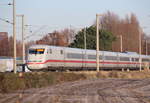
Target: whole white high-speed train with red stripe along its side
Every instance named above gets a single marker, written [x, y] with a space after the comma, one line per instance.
[44, 57]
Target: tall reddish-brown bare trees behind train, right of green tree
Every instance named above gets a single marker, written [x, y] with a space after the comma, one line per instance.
[128, 28]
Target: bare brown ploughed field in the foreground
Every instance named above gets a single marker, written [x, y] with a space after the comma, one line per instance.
[87, 91]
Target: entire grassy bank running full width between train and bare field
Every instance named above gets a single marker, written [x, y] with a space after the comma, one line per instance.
[10, 82]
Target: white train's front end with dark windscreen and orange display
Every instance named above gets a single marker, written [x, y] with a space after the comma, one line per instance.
[36, 59]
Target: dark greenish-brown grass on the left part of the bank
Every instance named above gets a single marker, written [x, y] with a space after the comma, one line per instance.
[10, 82]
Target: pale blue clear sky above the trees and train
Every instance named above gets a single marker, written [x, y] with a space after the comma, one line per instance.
[58, 14]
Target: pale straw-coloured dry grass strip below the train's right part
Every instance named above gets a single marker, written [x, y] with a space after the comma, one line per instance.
[116, 74]
